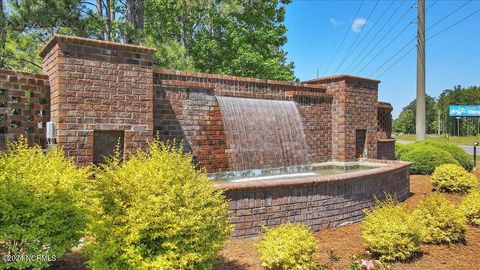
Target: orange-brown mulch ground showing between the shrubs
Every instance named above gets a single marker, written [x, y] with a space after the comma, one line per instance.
[345, 242]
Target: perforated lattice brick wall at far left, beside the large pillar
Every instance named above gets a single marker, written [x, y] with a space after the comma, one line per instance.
[24, 106]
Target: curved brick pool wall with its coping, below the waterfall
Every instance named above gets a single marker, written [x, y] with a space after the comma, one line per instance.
[321, 202]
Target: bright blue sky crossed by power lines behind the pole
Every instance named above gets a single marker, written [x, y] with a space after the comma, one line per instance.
[316, 29]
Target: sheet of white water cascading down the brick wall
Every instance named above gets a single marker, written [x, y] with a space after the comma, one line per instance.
[262, 133]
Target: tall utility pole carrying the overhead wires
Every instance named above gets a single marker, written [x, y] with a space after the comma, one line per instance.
[420, 116]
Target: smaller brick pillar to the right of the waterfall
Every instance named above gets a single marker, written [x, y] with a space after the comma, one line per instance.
[355, 107]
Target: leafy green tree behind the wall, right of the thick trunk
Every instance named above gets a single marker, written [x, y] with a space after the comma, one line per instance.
[233, 37]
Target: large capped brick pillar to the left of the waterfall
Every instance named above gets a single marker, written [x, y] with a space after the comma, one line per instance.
[99, 85]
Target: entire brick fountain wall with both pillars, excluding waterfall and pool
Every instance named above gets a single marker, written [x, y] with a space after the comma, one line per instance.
[111, 90]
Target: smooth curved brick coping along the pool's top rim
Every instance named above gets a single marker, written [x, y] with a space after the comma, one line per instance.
[390, 166]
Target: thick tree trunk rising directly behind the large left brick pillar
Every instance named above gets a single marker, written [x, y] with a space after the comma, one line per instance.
[135, 17]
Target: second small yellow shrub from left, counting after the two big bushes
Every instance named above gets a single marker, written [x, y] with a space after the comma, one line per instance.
[390, 231]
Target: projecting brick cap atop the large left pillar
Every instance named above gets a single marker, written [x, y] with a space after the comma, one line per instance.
[95, 43]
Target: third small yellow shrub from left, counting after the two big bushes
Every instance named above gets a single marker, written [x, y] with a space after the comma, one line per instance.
[440, 220]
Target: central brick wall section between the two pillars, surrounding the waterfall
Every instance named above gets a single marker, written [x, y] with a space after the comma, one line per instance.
[181, 95]
